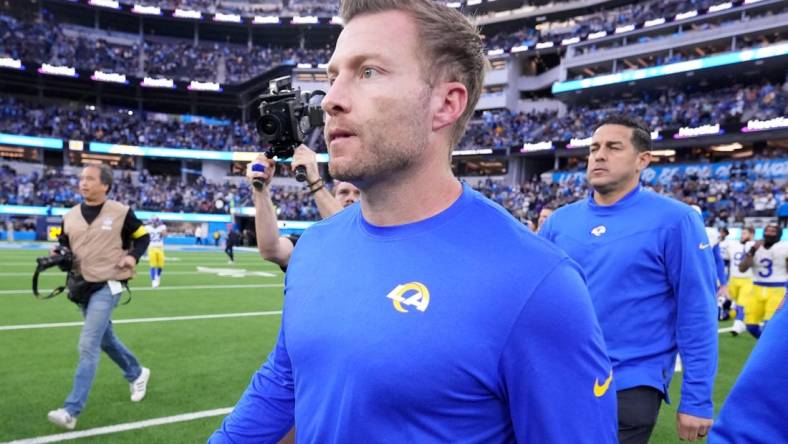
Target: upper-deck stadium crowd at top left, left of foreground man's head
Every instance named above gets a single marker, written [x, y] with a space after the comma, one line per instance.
[83, 48]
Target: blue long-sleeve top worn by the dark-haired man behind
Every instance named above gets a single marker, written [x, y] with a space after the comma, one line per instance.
[652, 279]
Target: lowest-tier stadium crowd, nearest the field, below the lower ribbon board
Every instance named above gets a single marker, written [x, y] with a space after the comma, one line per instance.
[723, 202]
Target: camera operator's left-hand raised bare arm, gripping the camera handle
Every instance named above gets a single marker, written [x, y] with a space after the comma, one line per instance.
[272, 247]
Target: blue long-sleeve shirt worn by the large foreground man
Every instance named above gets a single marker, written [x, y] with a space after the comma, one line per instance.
[462, 328]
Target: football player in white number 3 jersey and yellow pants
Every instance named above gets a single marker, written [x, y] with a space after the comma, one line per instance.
[768, 260]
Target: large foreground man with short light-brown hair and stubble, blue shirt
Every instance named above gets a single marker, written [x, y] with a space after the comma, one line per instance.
[424, 313]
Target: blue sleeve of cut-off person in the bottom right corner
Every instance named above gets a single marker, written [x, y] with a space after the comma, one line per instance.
[757, 406]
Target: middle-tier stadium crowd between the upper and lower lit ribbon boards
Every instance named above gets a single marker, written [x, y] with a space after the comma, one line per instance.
[670, 109]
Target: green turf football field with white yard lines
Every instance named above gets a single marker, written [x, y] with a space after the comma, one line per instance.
[197, 364]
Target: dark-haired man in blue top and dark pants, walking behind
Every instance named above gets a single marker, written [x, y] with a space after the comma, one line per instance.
[652, 281]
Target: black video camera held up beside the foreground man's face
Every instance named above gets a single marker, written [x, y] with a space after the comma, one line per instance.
[286, 117]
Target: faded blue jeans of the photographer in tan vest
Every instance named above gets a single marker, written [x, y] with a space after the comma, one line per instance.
[97, 335]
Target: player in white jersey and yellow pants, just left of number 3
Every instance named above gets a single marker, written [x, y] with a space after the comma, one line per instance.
[739, 282]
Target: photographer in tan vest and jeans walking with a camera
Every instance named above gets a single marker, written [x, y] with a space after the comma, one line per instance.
[107, 240]
